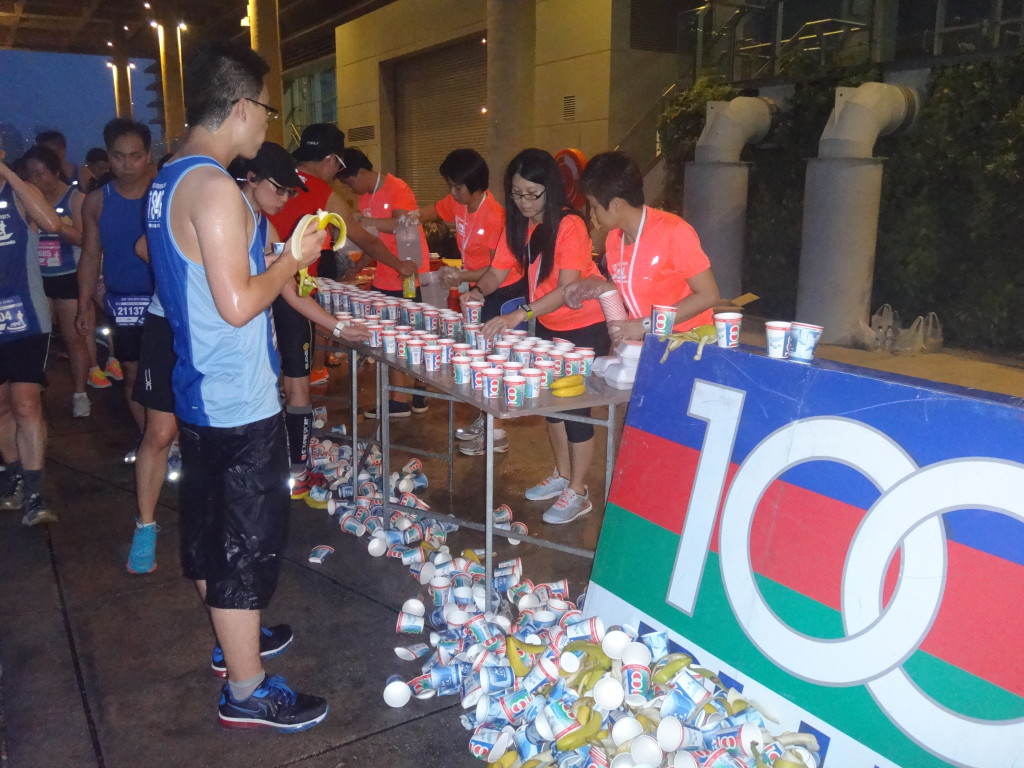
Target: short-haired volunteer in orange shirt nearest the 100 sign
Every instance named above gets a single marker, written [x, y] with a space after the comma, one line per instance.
[654, 258]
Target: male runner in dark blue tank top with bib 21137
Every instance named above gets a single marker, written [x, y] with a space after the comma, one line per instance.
[112, 223]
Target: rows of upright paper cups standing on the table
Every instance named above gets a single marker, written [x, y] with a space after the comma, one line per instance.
[514, 367]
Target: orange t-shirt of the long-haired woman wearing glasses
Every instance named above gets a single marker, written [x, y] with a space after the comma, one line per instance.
[572, 252]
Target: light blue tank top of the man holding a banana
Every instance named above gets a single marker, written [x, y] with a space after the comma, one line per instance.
[225, 376]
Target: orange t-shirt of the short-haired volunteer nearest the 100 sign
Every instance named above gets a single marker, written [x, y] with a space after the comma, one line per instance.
[669, 255]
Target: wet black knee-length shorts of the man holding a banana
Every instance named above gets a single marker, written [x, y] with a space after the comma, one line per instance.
[234, 501]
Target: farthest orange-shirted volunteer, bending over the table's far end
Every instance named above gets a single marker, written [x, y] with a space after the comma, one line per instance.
[382, 199]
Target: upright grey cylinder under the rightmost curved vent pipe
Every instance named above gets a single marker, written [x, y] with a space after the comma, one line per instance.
[837, 252]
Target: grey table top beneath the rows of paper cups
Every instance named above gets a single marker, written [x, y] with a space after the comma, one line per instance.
[599, 393]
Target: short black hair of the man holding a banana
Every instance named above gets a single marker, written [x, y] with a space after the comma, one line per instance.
[218, 75]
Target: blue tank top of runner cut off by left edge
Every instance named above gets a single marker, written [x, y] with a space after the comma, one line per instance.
[24, 311]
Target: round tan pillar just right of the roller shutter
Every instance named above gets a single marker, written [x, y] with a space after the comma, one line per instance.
[511, 30]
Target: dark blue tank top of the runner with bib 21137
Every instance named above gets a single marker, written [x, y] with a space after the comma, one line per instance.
[121, 225]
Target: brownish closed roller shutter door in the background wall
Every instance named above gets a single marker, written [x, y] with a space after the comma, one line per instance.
[439, 97]
